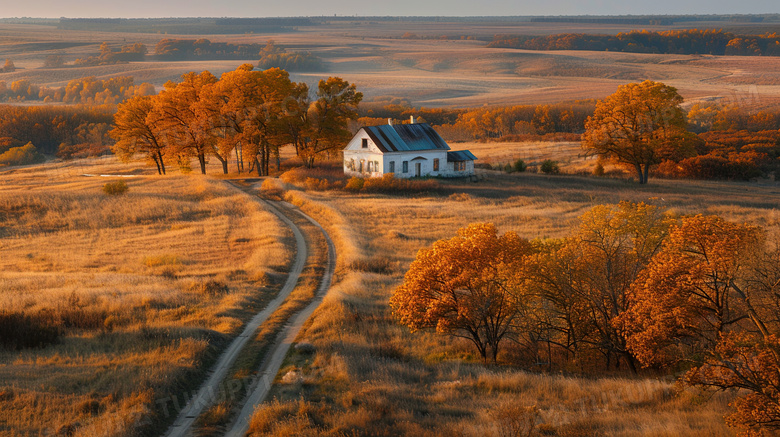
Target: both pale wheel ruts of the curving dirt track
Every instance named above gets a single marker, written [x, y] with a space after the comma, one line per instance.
[258, 390]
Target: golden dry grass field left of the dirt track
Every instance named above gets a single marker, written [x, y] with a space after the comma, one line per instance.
[144, 288]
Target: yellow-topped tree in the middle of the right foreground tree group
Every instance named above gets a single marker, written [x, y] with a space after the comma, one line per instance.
[588, 277]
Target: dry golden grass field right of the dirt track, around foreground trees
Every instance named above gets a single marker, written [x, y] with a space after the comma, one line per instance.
[368, 374]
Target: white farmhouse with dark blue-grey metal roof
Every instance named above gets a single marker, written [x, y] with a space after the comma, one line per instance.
[407, 150]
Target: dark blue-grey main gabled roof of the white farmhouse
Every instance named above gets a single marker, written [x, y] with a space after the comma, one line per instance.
[406, 137]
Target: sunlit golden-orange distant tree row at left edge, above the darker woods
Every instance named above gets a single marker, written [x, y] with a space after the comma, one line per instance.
[87, 90]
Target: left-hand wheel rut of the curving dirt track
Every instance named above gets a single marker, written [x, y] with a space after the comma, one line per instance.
[209, 390]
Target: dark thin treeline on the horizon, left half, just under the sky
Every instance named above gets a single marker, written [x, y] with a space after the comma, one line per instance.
[184, 26]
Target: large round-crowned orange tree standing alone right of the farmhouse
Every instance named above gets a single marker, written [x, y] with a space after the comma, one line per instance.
[637, 126]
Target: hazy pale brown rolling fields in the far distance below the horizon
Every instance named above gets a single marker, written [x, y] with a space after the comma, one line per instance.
[430, 72]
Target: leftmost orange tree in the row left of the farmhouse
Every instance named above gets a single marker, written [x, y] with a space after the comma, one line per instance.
[135, 132]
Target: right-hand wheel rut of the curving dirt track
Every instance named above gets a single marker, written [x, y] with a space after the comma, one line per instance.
[271, 365]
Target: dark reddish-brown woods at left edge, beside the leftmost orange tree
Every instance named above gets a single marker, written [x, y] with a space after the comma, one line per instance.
[65, 131]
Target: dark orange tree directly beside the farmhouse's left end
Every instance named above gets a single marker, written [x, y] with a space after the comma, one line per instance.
[327, 118]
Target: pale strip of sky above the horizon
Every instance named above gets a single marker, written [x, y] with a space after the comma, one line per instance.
[297, 8]
